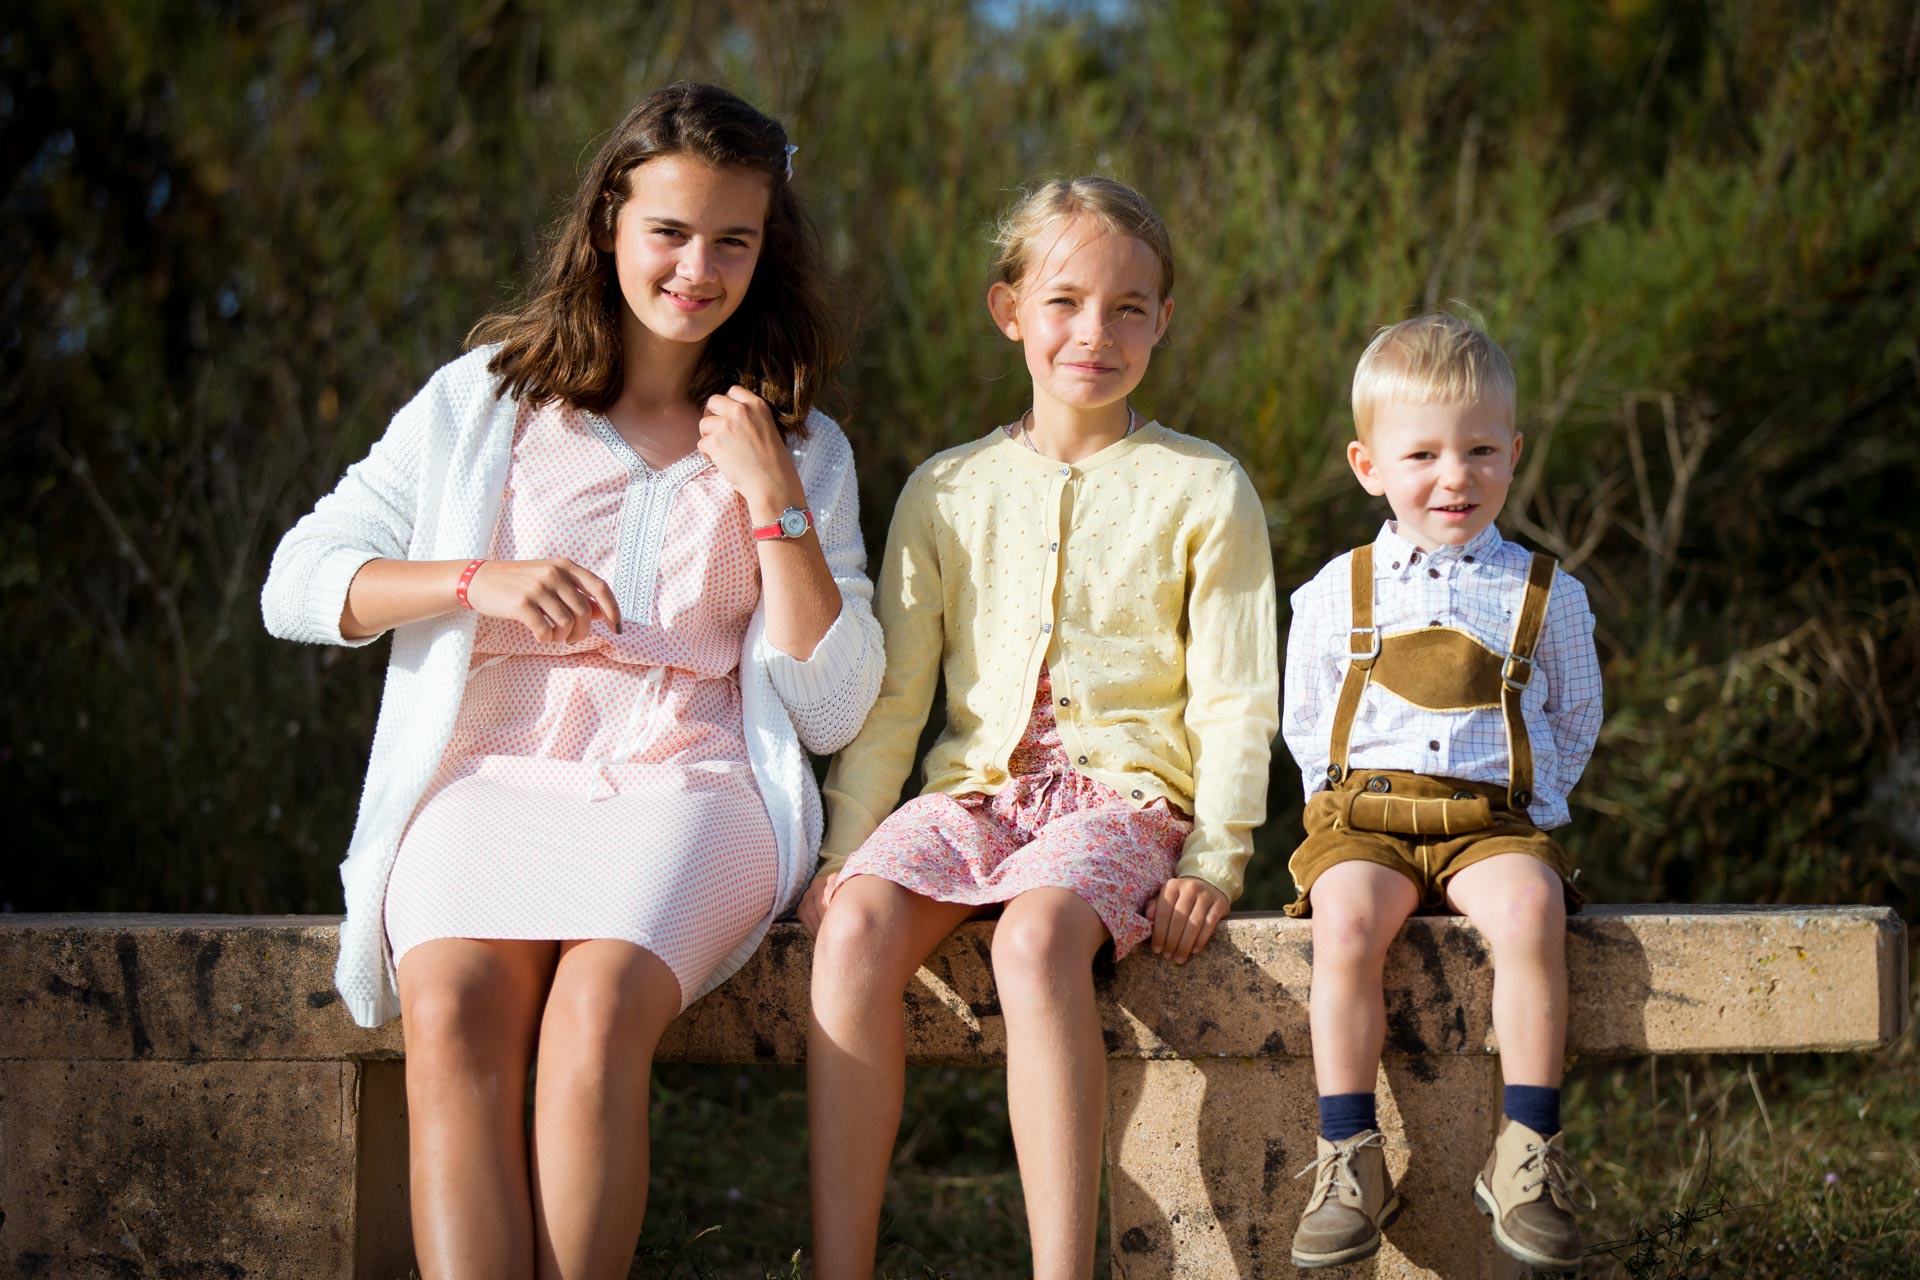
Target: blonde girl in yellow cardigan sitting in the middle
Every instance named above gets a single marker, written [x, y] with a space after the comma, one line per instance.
[1099, 594]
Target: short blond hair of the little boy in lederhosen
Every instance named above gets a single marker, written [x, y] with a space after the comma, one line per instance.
[1431, 360]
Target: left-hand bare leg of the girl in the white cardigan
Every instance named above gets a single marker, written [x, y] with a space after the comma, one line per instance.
[471, 1010]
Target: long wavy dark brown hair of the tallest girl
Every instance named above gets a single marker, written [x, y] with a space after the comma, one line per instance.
[782, 343]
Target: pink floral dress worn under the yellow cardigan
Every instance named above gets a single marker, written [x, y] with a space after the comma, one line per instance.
[1047, 828]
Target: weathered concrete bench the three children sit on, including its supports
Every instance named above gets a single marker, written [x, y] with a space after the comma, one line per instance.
[183, 1095]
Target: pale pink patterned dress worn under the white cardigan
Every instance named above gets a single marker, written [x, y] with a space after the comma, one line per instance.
[602, 790]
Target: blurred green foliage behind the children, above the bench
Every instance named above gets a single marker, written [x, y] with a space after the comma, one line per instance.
[237, 237]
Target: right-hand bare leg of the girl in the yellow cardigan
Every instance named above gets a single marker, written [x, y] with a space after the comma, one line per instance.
[1055, 1072]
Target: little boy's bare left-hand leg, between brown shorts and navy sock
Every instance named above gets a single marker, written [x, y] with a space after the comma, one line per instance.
[1358, 909]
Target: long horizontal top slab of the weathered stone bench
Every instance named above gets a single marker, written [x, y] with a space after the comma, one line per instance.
[1643, 982]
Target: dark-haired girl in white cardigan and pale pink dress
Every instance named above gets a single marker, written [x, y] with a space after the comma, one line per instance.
[621, 559]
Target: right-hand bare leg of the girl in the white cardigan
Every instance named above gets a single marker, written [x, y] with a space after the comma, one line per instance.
[610, 1005]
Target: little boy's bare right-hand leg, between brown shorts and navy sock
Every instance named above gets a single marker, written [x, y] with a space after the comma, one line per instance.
[1520, 907]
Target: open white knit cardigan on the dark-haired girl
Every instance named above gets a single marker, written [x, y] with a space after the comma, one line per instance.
[431, 490]
